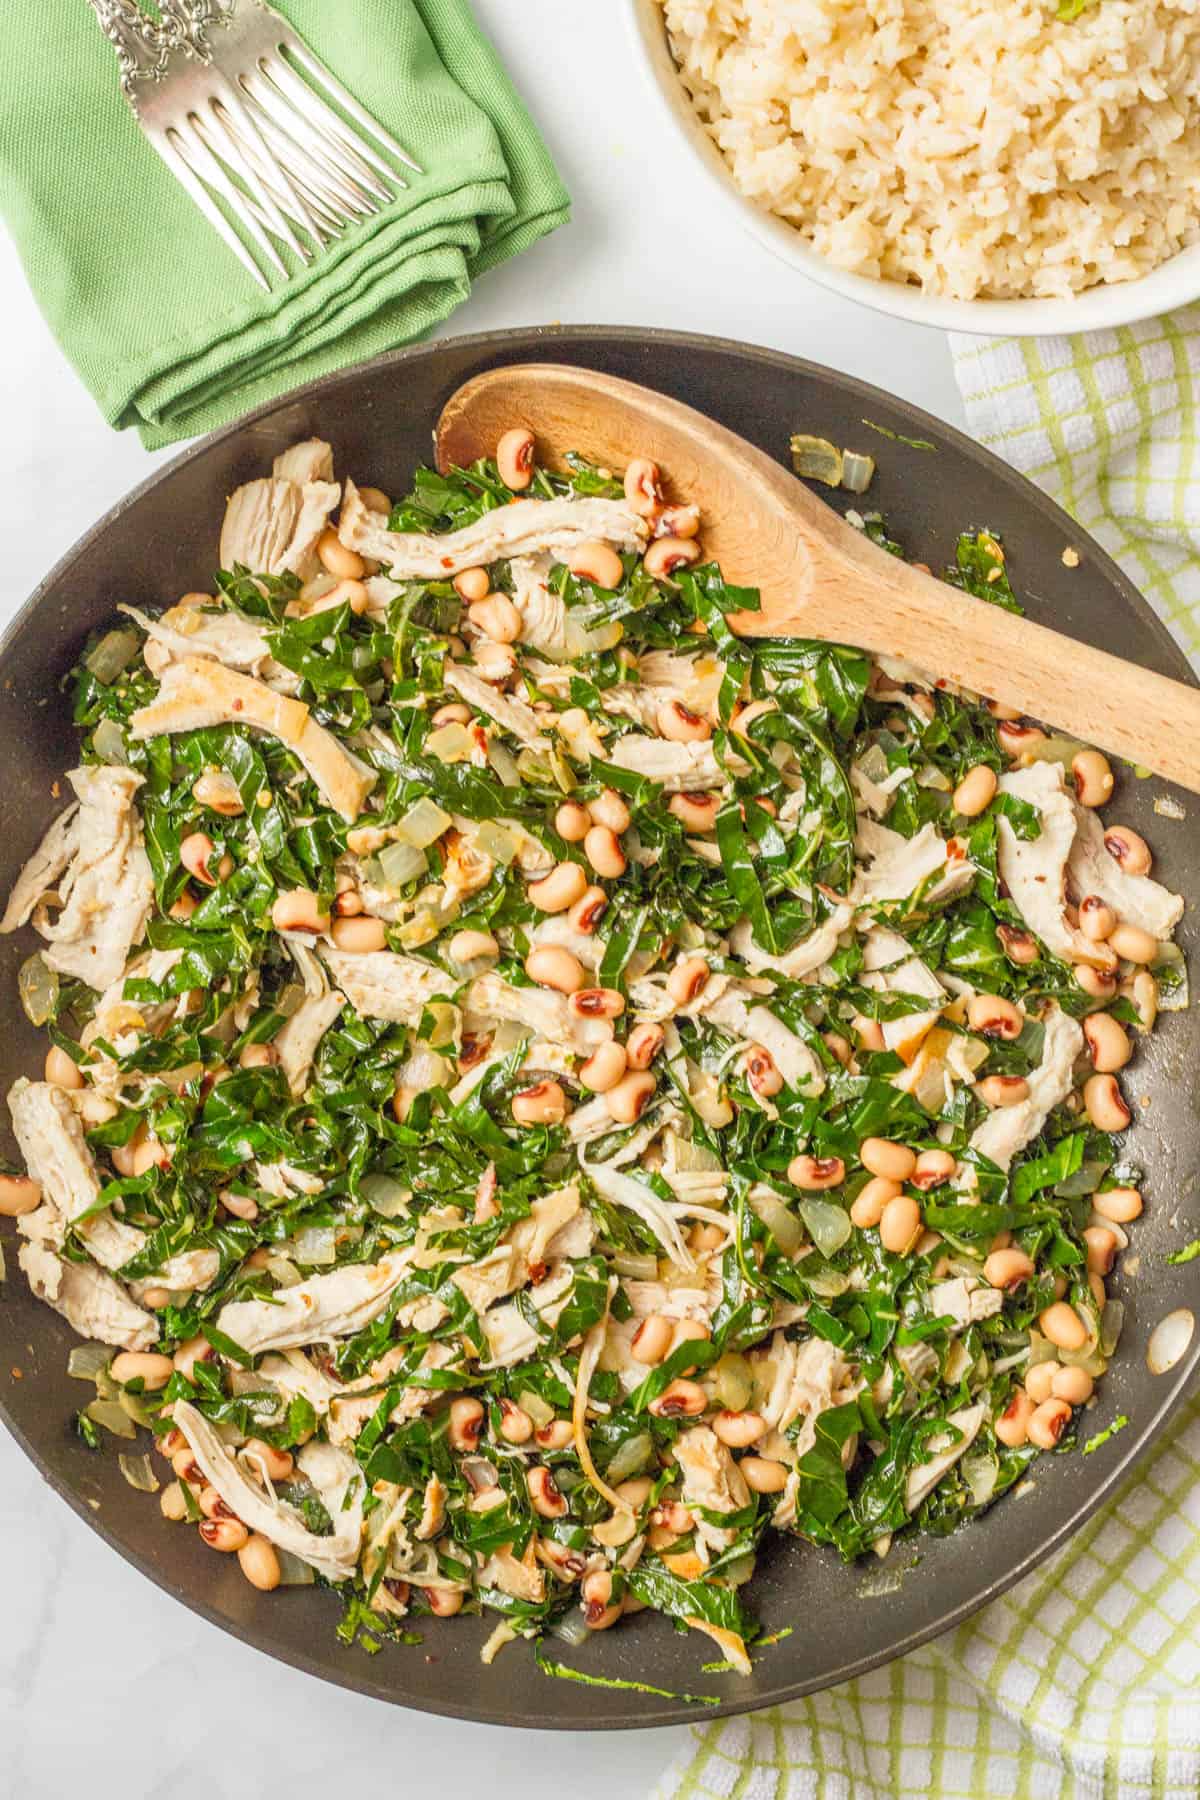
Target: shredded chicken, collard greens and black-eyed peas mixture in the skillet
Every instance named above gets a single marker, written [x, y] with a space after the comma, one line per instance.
[542, 1092]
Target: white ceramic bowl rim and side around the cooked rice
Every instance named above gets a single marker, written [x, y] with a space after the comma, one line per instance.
[1172, 285]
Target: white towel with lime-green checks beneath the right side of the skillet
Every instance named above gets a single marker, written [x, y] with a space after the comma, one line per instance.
[1084, 1682]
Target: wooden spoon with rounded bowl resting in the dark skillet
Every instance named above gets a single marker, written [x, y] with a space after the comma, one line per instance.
[819, 577]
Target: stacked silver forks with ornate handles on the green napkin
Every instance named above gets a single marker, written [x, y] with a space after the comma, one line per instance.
[267, 143]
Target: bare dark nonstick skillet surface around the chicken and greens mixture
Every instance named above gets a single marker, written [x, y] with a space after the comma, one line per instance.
[163, 543]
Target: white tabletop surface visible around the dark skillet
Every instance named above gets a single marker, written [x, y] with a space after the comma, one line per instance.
[85, 1644]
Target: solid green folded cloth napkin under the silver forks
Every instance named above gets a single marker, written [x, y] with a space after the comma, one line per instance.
[166, 328]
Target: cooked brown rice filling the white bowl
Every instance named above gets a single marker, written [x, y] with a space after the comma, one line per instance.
[969, 147]
